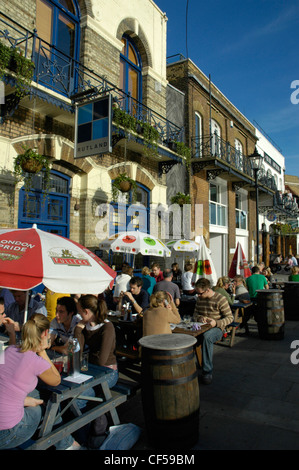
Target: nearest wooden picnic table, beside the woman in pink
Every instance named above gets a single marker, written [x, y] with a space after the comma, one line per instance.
[64, 396]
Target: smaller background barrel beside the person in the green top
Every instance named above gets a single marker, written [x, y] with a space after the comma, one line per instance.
[270, 314]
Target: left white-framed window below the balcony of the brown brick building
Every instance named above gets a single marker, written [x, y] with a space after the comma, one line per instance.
[218, 204]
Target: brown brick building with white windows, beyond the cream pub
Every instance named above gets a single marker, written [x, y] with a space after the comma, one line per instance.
[222, 179]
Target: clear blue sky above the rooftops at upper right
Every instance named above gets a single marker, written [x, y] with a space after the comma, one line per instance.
[250, 49]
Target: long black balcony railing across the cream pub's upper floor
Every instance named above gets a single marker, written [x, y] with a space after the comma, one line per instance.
[68, 77]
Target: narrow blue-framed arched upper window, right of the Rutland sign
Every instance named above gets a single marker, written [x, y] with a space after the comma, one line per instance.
[130, 72]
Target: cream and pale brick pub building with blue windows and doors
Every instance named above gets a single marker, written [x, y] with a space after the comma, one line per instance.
[84, 50]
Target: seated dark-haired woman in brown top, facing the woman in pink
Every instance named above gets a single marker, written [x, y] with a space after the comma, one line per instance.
[98, 333]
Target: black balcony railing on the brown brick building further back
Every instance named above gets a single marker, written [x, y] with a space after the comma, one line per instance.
[213, 147]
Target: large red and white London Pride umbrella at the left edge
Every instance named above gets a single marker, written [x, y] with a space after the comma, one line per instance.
[29, 257]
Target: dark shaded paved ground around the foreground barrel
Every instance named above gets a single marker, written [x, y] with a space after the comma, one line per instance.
[252, 403]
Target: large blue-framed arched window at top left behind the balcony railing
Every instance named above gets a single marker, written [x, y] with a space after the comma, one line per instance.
[57, 24]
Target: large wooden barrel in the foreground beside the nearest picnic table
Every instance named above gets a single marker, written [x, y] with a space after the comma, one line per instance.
[170, 391]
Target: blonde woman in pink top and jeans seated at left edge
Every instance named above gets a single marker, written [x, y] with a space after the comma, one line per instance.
[20, 368]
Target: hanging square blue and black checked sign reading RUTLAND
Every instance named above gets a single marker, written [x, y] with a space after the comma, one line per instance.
[93, 128]
